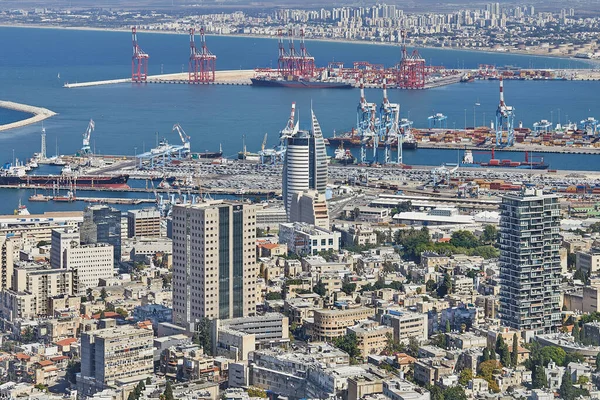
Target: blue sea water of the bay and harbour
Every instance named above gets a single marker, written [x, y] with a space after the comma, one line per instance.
[37, 62]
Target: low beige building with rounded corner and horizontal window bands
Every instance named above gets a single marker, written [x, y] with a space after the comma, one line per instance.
[329, 324]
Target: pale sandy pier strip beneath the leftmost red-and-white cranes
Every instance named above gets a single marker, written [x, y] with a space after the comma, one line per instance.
[232, 77]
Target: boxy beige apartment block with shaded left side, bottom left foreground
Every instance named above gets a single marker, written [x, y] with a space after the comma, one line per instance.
[114, 355]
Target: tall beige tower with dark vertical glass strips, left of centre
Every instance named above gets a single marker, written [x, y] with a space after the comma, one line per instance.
[214, 261]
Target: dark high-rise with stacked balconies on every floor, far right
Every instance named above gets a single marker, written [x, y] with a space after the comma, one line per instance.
[530, 261]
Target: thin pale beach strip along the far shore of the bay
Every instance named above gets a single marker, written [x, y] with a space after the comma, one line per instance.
[591, 62]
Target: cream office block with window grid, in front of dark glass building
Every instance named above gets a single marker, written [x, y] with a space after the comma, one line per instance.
[89, 264]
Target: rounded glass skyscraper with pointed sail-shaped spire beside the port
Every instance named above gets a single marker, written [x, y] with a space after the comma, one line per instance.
[305, 166]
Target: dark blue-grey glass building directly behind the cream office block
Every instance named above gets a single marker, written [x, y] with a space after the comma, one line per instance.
[102, 224]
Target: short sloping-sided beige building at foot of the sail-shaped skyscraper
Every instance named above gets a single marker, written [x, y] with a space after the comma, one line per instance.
[310, 207]
